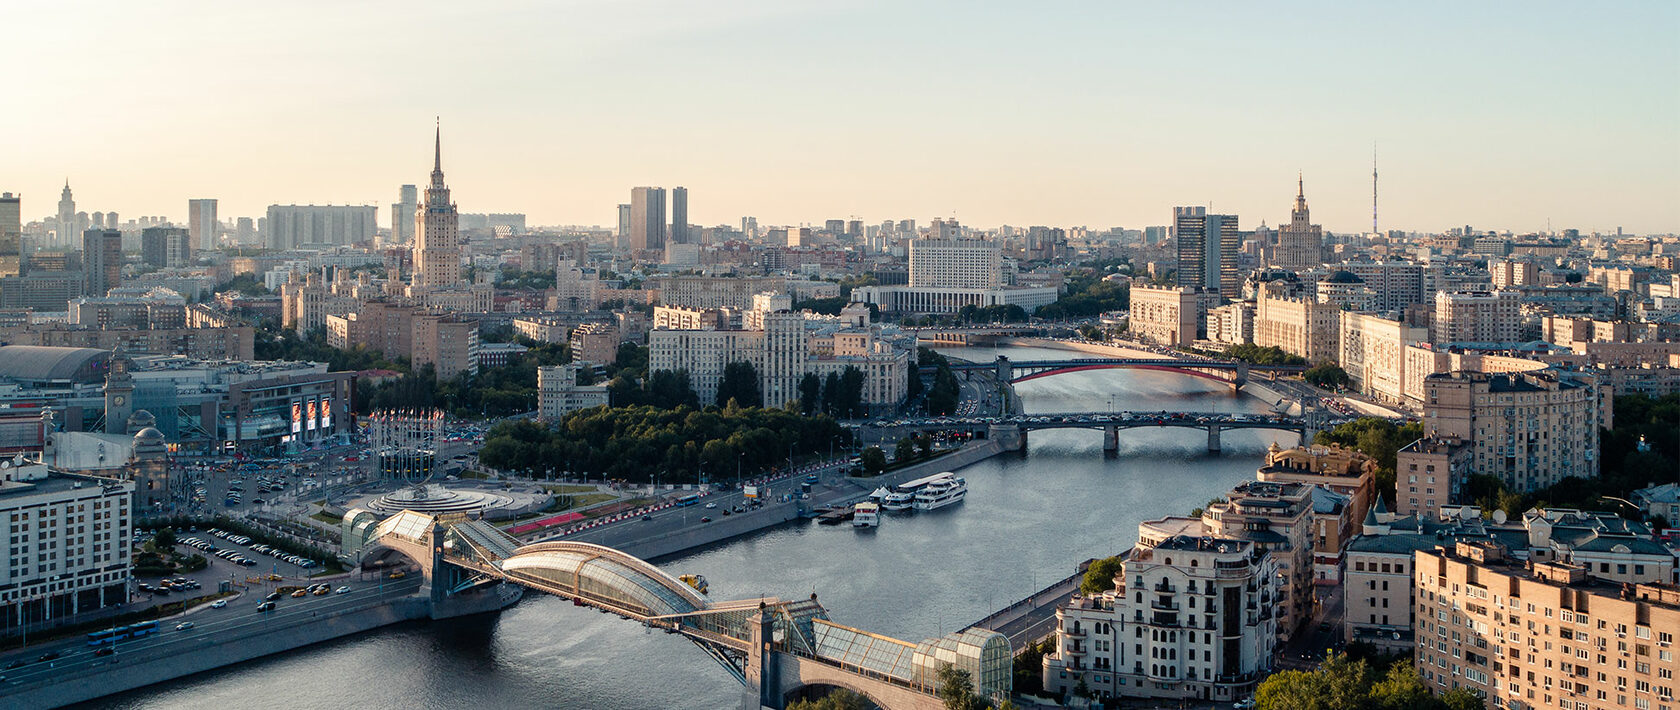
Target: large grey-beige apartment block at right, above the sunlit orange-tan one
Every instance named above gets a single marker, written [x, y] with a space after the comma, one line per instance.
[1528, 429]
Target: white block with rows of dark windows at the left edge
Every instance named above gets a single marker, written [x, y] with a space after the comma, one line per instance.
[70, 550]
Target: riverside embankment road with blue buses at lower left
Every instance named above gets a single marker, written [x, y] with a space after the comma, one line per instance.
[211, 627]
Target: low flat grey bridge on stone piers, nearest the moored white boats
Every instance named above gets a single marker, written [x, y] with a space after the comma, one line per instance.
[1012, 431]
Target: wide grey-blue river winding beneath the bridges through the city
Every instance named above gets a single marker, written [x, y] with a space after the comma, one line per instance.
[1027, 521]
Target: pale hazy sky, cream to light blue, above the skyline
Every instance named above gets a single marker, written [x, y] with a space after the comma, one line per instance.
[1499, 115]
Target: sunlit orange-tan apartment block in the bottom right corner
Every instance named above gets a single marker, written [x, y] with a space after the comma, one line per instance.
[1543, 635]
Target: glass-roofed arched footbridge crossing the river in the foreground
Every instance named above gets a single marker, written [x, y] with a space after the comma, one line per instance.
[780, 650]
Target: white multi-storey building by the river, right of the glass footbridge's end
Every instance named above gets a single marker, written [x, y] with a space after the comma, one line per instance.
[1190, 619]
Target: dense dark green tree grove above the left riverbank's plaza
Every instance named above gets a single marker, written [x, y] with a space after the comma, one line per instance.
[669, 446]
